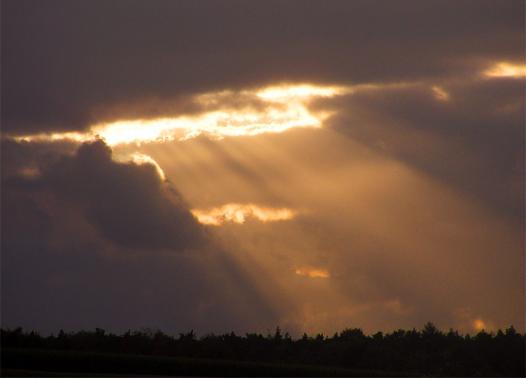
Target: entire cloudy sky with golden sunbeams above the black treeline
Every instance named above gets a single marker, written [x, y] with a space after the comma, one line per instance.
[236, 166]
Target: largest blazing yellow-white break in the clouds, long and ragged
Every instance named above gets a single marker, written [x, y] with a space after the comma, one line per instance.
[285, 107]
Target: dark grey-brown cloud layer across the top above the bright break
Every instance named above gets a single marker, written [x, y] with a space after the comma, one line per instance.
[68, 64]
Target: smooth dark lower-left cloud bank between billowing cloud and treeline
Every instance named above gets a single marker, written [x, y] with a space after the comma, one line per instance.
[79, 282]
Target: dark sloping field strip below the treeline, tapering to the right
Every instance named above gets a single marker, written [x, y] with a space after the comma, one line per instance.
[34, 362]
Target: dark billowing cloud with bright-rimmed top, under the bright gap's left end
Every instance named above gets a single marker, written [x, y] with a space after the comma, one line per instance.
[124, 201]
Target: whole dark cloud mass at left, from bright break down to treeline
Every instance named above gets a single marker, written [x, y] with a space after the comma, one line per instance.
[90, 242]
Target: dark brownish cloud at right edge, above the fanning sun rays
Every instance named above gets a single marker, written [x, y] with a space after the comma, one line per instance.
[474, 140]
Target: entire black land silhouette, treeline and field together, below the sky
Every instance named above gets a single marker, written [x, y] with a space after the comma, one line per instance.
[350, 353]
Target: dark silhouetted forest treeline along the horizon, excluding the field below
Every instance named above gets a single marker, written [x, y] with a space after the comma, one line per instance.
[420, 352]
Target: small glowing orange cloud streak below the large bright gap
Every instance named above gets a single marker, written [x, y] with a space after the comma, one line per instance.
[239, 213]
